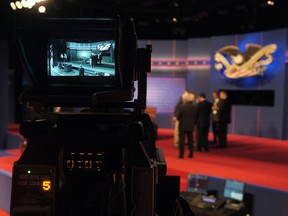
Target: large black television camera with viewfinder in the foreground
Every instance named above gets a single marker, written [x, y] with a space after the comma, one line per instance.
[100, 158]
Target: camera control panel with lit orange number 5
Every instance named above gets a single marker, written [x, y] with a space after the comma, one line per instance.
[34, 189]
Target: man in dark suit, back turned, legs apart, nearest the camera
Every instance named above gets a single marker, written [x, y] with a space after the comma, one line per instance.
[186, 117]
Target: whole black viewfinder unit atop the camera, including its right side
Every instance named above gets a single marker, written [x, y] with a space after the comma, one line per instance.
[77, 56]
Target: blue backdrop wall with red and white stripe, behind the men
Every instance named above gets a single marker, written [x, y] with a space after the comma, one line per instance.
[189, 64]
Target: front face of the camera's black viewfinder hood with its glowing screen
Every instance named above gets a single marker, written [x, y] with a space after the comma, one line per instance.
[70, 51]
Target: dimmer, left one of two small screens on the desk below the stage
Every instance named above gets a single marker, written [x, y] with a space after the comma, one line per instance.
[197, 183]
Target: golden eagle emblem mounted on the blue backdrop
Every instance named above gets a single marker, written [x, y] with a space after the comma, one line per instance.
[252, 62]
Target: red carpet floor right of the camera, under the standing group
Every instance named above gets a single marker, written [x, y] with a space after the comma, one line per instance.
[254, 160]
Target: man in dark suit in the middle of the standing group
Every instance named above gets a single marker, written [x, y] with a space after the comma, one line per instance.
[203, 113]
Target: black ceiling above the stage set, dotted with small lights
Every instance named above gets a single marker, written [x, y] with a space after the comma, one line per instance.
[195, 18]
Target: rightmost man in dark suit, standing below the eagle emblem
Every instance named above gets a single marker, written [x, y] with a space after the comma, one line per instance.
[224, 112]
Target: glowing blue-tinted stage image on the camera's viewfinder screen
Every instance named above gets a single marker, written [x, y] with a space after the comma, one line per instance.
[84, 58]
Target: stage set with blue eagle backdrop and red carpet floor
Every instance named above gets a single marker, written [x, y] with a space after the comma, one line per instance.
[253, 69]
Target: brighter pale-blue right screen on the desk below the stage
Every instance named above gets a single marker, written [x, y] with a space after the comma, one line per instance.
[234, 190]
